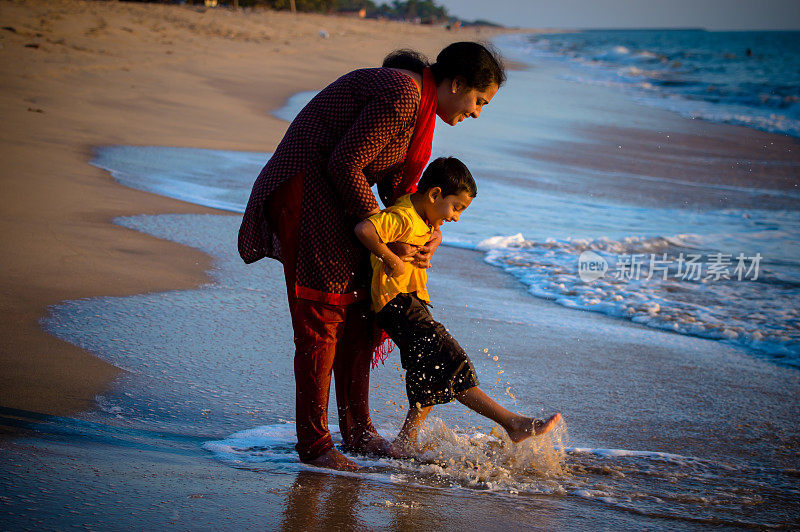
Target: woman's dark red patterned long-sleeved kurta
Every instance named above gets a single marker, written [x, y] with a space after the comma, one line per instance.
[353, 134]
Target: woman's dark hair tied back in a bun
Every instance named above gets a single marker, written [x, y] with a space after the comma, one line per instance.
[480, 65]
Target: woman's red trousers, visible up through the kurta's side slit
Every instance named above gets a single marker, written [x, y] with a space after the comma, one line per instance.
[328, 338]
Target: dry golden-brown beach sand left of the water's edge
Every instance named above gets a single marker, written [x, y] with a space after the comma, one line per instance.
[76, 75]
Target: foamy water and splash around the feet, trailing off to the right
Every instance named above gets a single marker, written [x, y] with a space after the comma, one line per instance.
[660, 482]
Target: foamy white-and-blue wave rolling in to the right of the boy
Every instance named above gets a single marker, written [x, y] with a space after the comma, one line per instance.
[764, 319]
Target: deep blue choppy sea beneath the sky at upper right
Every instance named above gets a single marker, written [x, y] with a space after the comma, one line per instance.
[749, 78]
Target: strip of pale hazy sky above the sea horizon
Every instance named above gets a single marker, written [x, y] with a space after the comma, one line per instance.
[571, 14]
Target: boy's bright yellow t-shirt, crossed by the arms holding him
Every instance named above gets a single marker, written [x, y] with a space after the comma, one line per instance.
[399, 223]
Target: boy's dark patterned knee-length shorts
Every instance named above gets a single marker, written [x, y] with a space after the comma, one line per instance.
[437, 368]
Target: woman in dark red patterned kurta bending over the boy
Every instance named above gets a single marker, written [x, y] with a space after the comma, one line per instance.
[369, 126]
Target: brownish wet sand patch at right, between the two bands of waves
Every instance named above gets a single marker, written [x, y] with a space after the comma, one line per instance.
[691, 164]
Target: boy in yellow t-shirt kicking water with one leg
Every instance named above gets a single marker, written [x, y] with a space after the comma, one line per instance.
[437, 368]
